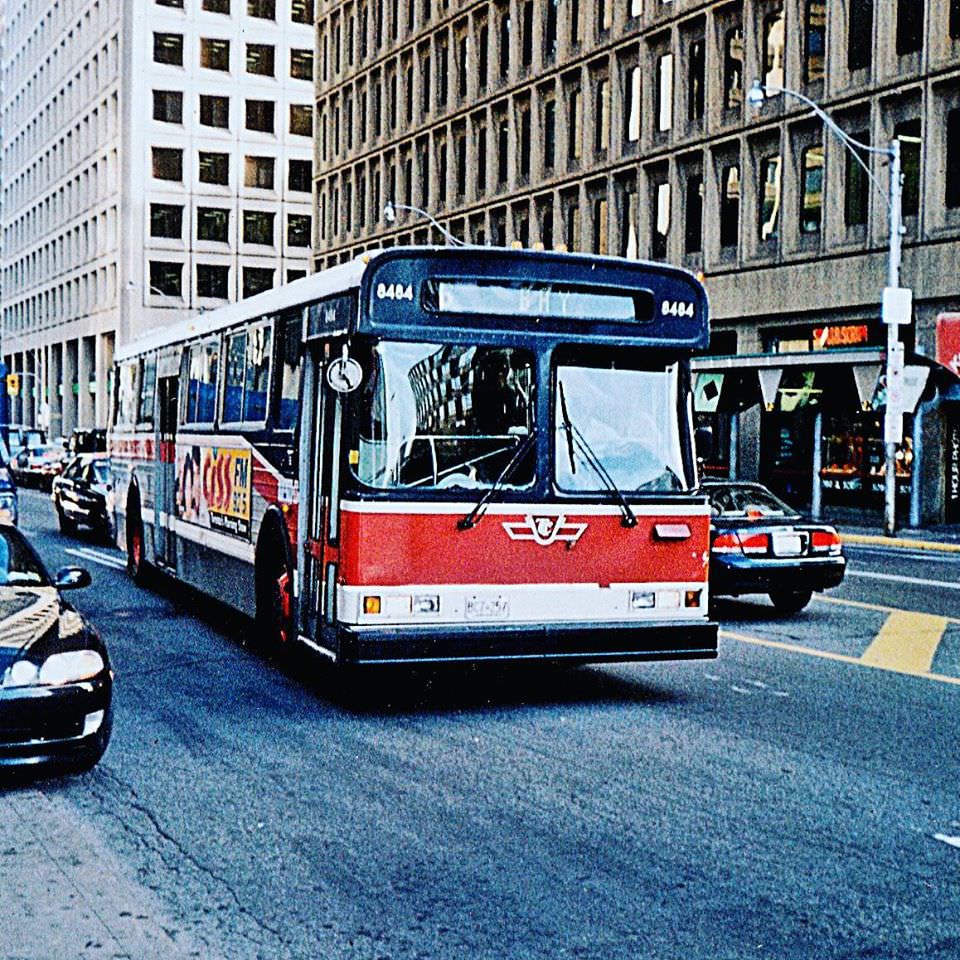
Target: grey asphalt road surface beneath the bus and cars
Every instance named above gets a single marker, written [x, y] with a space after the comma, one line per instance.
[795, 798]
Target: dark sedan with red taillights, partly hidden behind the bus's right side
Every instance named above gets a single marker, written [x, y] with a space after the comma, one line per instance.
[759, 544]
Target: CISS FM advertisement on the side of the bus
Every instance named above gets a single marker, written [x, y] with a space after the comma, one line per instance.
[213, 488]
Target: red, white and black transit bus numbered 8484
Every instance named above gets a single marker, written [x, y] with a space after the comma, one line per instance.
[430, 454]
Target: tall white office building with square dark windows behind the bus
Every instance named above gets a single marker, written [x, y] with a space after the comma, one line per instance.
[157, 162]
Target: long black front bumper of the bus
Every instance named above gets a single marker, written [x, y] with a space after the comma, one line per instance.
[580, 642]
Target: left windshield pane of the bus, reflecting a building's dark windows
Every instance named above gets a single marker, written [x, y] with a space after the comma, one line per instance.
[443, 416]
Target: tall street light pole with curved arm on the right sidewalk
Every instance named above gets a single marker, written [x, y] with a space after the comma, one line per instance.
[896, 303]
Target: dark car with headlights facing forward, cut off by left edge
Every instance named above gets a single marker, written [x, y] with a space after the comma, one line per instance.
[56, 683]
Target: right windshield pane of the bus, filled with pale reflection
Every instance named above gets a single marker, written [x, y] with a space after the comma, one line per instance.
[628, 419]
